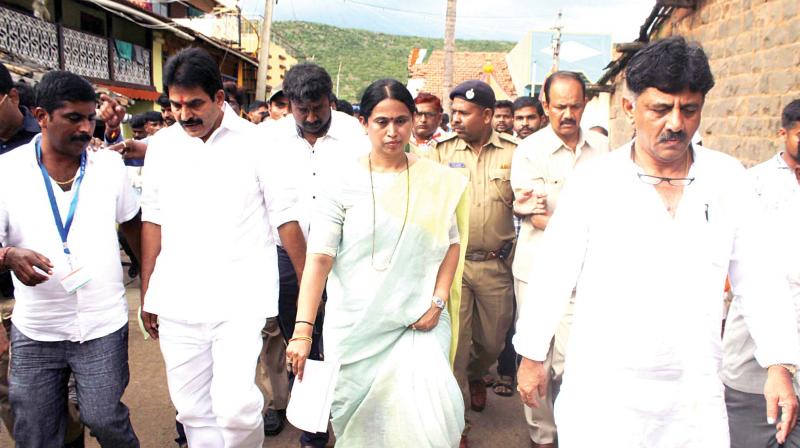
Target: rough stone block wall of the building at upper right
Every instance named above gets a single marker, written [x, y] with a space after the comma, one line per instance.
[754, 51]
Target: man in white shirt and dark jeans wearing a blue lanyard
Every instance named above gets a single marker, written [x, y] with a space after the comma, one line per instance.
[59, 208]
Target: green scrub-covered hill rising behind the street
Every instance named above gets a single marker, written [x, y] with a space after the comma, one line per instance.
[364, 56]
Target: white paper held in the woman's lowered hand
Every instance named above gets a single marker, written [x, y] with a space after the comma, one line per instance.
[310, 404]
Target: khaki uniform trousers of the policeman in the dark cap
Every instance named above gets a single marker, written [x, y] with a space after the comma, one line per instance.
[485, 315]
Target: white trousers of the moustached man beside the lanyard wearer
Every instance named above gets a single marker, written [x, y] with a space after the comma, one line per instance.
[211, 377]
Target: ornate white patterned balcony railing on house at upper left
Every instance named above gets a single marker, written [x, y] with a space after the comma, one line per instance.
[55, 46]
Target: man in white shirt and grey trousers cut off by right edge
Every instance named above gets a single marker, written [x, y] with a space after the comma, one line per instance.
[778, 190]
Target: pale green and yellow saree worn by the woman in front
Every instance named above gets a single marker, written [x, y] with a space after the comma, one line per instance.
[389, 233]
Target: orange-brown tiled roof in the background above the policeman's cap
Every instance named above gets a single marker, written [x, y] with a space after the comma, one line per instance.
[467, 65]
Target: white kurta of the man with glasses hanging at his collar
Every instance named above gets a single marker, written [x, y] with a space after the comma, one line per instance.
[645, 343]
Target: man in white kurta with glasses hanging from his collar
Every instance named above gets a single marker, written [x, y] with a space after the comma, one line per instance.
[646, 235]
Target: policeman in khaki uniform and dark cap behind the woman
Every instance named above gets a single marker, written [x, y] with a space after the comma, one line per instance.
[484, 156]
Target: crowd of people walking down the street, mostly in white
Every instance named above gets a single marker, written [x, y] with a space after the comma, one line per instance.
[412, 249]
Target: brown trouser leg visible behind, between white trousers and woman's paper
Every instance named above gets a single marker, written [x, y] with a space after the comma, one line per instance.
[271, 376]
